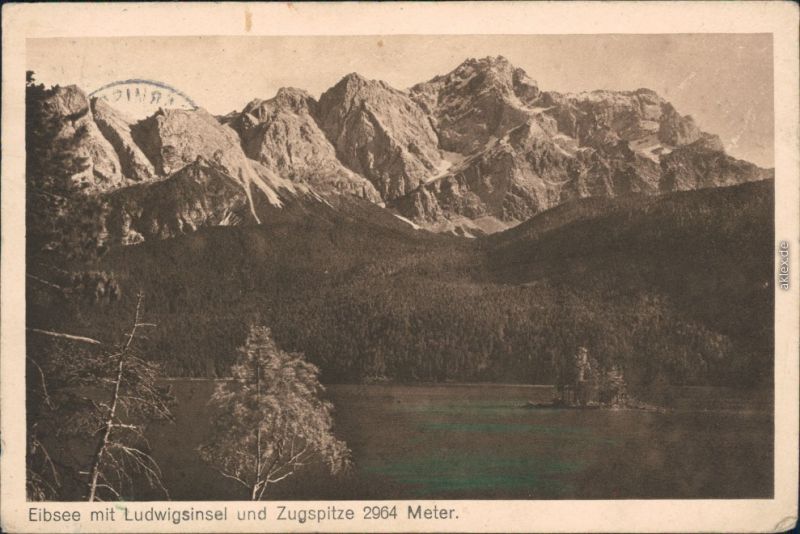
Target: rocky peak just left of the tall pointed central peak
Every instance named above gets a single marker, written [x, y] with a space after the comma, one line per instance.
[282, 134]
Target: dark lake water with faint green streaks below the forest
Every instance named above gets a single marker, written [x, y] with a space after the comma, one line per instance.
[477, 442]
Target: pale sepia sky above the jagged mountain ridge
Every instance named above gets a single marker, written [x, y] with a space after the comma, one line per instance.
[725, 81]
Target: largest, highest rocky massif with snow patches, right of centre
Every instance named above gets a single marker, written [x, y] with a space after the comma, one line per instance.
[525, 151]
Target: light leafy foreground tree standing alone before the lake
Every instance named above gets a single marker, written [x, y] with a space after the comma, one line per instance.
[269, 420]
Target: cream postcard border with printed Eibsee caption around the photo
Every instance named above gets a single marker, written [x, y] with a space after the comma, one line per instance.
[82, 20]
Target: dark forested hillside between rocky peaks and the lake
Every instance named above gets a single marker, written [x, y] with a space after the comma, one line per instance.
[673, 288]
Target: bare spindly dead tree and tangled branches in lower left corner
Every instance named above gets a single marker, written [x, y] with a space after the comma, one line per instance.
[96, 400]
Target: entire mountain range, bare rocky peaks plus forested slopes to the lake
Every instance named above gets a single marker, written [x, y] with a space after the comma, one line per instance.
[604, 220]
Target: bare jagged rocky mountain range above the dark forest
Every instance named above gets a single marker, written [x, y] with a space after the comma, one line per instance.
[472, 152]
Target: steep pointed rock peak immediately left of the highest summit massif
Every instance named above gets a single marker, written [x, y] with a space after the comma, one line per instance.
[380, 133]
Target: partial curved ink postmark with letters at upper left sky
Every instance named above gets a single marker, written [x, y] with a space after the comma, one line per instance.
[139, 98]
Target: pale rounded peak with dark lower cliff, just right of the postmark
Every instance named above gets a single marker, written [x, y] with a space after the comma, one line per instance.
[208, 179]
